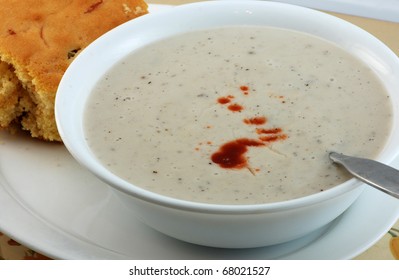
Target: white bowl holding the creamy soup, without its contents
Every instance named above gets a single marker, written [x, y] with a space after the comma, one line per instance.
[229, 226]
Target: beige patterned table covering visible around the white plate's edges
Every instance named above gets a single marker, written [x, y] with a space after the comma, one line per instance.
[387, 248]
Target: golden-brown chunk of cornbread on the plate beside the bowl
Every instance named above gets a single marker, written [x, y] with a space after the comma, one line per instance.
[38, 41]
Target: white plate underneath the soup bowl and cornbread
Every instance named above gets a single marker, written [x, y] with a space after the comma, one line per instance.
[52, 205]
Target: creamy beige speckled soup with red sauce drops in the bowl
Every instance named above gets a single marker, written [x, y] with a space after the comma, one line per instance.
[236, 115]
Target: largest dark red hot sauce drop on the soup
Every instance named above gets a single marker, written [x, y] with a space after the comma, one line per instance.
[232, 154]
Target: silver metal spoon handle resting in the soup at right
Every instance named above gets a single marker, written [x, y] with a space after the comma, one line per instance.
[373, 173]
